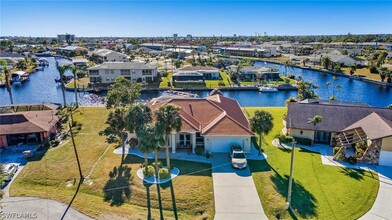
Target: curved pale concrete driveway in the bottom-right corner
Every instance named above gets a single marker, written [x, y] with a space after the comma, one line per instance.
[381, 208]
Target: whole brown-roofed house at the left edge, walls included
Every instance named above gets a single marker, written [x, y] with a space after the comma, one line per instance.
[27, 126]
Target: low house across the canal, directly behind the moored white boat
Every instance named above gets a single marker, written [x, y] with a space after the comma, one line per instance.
[254, 72]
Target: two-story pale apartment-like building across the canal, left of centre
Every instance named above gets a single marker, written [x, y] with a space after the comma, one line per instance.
[106, 73]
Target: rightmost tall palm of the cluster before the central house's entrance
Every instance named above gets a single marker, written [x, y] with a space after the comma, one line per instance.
[168, 120]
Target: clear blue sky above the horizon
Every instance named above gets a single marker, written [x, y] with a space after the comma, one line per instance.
[200, 18]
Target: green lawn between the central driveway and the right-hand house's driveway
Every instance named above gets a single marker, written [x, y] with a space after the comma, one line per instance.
[319, 191]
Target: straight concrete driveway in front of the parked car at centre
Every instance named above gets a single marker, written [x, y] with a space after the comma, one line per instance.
[235, 193]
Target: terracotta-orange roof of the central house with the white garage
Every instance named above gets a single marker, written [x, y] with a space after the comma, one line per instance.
[214, 115]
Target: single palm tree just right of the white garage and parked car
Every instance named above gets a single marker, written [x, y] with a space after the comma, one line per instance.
[261, 123]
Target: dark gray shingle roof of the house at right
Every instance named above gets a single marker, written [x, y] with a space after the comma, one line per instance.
[335, 117]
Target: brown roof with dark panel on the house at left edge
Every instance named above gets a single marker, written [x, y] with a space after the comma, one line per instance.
[27, 122]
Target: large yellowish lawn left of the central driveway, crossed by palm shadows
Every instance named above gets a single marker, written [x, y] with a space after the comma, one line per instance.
[124, 196]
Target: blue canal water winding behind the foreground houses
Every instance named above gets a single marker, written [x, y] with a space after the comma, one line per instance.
[43, 88]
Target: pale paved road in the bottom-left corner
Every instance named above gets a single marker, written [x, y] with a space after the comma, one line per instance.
[36, 208]
